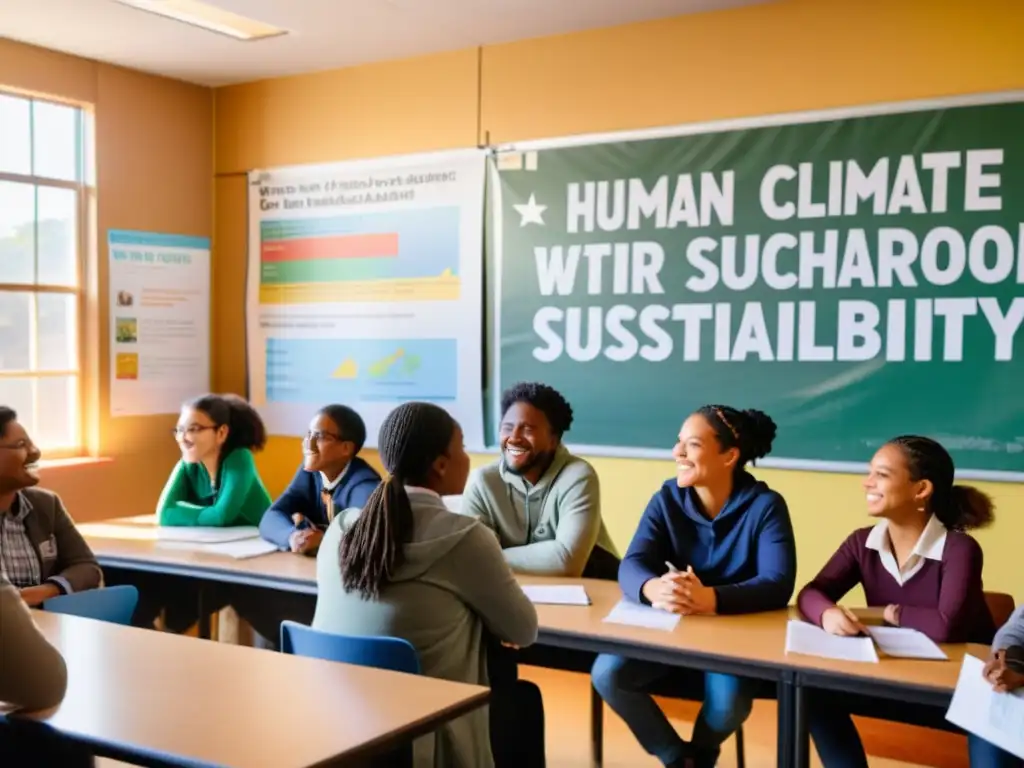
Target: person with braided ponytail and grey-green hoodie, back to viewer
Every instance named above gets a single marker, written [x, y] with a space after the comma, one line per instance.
[405, 567]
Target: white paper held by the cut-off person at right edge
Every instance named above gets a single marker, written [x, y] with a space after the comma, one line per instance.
[998, 718]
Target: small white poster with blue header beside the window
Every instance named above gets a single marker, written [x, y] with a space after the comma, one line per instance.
[160, 321]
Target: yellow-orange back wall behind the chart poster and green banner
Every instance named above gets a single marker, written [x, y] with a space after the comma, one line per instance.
[782, 57]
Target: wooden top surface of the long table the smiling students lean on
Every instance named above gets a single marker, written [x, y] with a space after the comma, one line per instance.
[757, 639]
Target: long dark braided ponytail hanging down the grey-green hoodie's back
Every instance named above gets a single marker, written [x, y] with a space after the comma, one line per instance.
[373, 549]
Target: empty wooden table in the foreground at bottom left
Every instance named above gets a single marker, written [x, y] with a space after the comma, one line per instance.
[161, 700]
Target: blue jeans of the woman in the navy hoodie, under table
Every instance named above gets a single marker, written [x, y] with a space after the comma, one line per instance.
[626, 685]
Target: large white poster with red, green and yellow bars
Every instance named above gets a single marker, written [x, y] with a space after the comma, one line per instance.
[365, 288]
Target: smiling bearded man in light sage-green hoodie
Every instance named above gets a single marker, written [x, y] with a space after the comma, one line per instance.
[543, 503]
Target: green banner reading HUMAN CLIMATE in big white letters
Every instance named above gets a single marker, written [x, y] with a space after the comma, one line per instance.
[856, 278]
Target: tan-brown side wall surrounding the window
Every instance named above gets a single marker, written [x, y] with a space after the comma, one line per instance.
[154, 159]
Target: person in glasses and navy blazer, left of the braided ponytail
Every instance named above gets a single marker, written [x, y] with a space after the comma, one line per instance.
[331, 480]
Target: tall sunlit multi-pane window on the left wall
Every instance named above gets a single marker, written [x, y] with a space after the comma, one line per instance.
[42, 202]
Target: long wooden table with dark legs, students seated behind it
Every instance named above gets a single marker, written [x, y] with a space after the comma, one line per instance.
[752, 646]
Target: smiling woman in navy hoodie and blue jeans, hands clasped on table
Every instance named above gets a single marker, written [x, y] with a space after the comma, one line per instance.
[730, 542]
